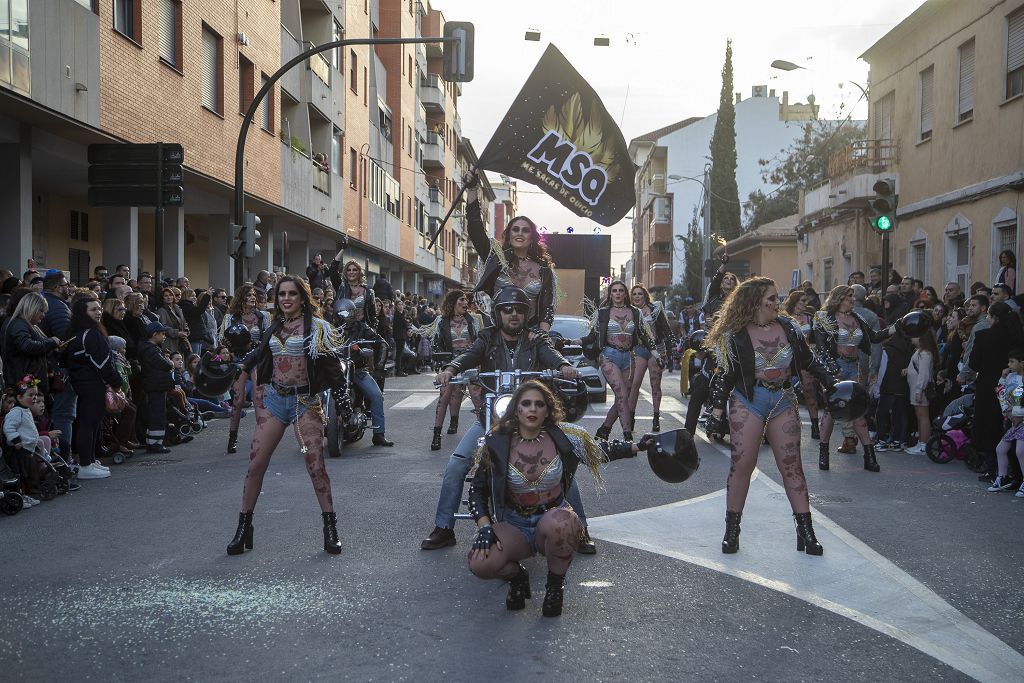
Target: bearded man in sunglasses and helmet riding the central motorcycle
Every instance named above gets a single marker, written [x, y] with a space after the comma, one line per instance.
[504, 348]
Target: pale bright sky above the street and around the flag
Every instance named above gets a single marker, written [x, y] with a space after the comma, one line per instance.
[664, 64]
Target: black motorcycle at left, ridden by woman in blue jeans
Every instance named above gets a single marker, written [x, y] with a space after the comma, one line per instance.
[348, 414]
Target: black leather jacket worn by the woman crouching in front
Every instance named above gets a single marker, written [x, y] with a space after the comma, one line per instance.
[487, 492]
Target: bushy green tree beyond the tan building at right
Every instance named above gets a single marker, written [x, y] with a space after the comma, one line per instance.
[804, 165]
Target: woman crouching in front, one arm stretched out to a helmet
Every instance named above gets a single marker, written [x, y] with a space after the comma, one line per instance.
[518, 497]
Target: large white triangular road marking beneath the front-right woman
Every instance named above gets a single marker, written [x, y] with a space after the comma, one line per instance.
[851, 580]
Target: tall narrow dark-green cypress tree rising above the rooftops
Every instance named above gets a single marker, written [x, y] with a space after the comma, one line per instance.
[726, 220]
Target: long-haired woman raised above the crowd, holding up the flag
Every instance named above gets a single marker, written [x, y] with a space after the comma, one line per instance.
[520, 261]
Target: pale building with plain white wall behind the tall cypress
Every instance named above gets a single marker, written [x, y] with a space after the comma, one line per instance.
[670, 184]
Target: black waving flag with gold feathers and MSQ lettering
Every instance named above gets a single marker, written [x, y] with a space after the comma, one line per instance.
[559, 136]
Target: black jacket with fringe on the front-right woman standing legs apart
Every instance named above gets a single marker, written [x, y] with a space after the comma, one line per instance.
[740, 374]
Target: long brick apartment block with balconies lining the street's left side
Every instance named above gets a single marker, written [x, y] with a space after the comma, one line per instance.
[334, 150]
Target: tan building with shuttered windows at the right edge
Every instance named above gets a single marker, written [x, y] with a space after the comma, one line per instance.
[949, 84]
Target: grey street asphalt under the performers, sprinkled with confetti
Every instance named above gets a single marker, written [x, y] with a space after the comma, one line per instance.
[127, 579]
